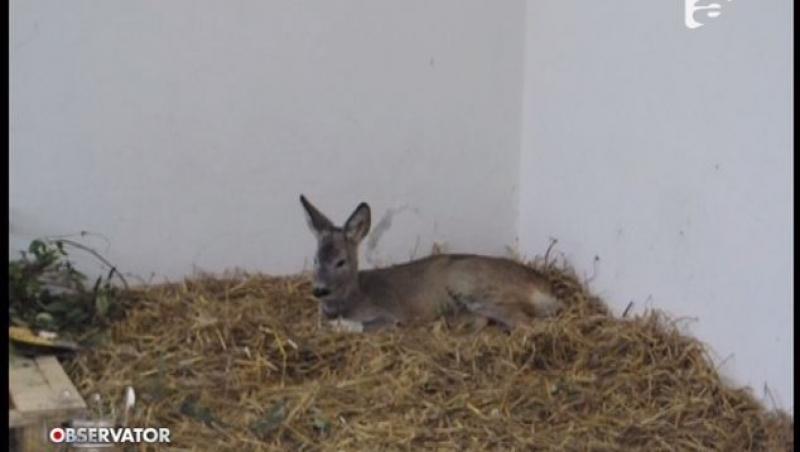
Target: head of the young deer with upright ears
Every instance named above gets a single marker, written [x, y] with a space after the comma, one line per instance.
[335, 276]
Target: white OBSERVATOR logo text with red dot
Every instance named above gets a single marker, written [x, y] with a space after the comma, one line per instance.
[100, 436]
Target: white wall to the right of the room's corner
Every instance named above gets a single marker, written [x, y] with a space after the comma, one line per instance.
[667, 152]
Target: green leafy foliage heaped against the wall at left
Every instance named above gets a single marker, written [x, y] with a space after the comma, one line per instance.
[47, 292]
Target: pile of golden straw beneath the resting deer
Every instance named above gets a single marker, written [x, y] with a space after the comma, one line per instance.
[242, 363]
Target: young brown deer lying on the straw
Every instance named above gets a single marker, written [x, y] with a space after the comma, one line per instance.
[490, 288]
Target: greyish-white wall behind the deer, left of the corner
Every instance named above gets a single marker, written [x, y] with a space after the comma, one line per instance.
[184, 131]
